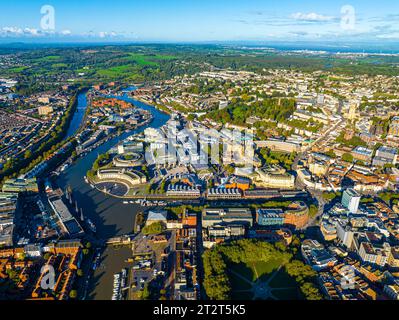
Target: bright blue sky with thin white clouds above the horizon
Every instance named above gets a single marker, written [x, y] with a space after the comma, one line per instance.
[203, 20]
